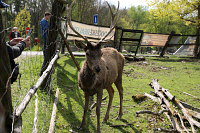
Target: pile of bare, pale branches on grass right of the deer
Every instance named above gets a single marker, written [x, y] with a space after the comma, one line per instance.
[184, 117]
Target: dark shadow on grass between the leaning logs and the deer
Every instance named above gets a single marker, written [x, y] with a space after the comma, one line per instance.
[64, 77]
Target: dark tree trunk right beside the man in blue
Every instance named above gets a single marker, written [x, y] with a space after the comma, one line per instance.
[57, 11]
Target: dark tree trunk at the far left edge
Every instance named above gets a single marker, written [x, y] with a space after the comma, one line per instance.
[5, 72]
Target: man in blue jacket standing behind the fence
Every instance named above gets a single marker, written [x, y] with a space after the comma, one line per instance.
[44, 25]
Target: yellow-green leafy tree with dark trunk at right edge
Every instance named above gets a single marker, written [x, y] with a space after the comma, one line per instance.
[185, 10]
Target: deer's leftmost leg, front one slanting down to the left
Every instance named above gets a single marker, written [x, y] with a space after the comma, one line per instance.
[85, 111]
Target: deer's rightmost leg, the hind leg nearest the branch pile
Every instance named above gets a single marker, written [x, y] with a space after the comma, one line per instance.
[118, 84]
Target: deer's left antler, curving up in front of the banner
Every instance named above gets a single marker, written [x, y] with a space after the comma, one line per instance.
[69, 20]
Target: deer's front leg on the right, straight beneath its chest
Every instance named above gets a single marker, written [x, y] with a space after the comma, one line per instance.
[99, 98]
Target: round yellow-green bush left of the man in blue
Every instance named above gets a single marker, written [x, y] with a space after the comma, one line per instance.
[23, 20]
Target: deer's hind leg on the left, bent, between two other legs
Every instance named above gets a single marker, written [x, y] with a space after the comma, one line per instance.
[111, 94]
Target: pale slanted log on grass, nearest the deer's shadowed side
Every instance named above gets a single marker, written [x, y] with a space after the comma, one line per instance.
[53, 116]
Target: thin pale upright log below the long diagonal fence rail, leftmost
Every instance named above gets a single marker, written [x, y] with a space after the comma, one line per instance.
[36, 115]
